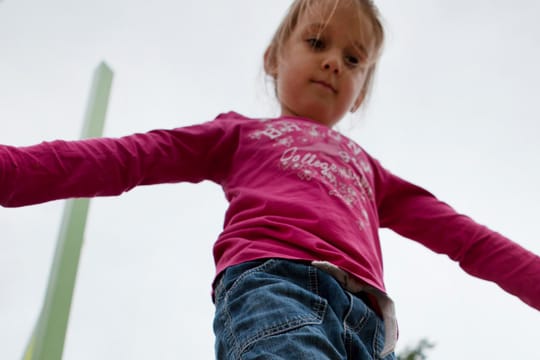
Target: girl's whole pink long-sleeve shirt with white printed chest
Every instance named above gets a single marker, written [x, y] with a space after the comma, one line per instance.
[296, 190]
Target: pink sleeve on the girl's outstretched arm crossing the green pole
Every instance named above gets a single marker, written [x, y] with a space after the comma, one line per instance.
[110, 166]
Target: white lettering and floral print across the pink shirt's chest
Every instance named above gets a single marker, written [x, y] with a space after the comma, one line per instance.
[346, 176]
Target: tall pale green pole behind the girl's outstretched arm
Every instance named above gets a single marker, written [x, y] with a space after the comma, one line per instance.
[47, 342]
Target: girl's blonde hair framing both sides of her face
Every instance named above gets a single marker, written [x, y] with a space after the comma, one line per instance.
[366, 11]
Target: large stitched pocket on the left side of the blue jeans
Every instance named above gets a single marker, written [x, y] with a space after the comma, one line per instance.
[267, 300]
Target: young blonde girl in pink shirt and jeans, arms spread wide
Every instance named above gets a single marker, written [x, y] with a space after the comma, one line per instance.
[299, 269]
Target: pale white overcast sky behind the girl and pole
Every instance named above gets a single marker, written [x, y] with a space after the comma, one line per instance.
[455, 109]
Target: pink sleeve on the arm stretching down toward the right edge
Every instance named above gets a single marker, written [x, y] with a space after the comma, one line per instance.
[416, 214]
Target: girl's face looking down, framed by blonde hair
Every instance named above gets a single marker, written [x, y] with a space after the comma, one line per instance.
[322, 67]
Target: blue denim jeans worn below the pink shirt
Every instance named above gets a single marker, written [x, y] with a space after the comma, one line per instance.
[282, 309]
